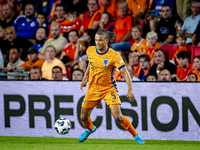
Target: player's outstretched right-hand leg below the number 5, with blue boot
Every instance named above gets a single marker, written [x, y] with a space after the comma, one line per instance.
[125, 123]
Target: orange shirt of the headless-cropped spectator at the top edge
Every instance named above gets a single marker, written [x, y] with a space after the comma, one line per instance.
[136, 5]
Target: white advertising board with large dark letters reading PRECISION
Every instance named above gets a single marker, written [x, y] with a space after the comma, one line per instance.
[169, 111]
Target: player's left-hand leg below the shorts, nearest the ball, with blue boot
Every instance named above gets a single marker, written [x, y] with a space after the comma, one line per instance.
[86, 119]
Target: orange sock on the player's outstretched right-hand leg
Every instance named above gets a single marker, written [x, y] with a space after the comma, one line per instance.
[126, 124]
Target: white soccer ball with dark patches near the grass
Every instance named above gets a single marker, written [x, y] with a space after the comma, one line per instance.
[62, 126]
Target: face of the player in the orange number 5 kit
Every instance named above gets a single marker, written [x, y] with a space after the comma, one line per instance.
[101, 42]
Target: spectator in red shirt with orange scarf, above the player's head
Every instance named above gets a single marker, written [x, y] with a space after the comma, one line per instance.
[91, 18]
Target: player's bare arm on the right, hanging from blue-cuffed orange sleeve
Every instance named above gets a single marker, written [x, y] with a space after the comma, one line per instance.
[127, 77]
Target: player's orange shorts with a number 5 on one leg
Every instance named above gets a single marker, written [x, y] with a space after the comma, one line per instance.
[91, 100]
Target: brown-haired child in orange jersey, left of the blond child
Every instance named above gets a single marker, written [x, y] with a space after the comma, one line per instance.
[140, 43]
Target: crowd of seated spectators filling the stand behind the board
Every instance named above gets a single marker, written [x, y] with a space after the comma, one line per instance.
[48, 39]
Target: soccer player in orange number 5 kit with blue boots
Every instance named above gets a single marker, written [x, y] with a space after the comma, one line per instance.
[102, 85]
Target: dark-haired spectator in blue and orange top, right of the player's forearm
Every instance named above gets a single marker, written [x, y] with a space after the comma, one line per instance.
[145, 66]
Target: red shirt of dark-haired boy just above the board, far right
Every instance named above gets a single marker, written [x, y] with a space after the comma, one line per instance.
[183, 74]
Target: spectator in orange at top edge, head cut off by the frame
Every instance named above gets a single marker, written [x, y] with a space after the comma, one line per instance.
[138, 8]
